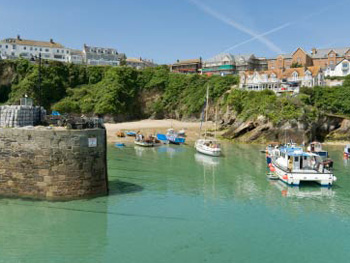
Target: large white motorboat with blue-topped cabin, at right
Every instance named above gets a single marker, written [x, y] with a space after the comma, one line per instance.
[292, 165]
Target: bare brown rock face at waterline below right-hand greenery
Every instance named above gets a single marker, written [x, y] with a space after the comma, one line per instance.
[261, 130]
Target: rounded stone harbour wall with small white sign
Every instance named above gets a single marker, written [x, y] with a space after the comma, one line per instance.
[53, 164]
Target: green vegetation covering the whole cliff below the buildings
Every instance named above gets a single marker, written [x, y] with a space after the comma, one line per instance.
[123, 90]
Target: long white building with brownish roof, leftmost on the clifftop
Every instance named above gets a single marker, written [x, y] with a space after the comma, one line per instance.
[28, 49]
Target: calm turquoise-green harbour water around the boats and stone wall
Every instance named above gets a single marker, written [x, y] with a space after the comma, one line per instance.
[169, 204]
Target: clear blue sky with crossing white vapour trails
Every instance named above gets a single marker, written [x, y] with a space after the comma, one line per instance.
[166, 30]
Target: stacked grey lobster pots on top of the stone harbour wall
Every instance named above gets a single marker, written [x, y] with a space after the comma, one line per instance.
[21, 116]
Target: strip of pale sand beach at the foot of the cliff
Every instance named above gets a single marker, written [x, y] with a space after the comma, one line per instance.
[148, 127]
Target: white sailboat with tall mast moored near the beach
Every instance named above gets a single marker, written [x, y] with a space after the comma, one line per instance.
[206, 146]
